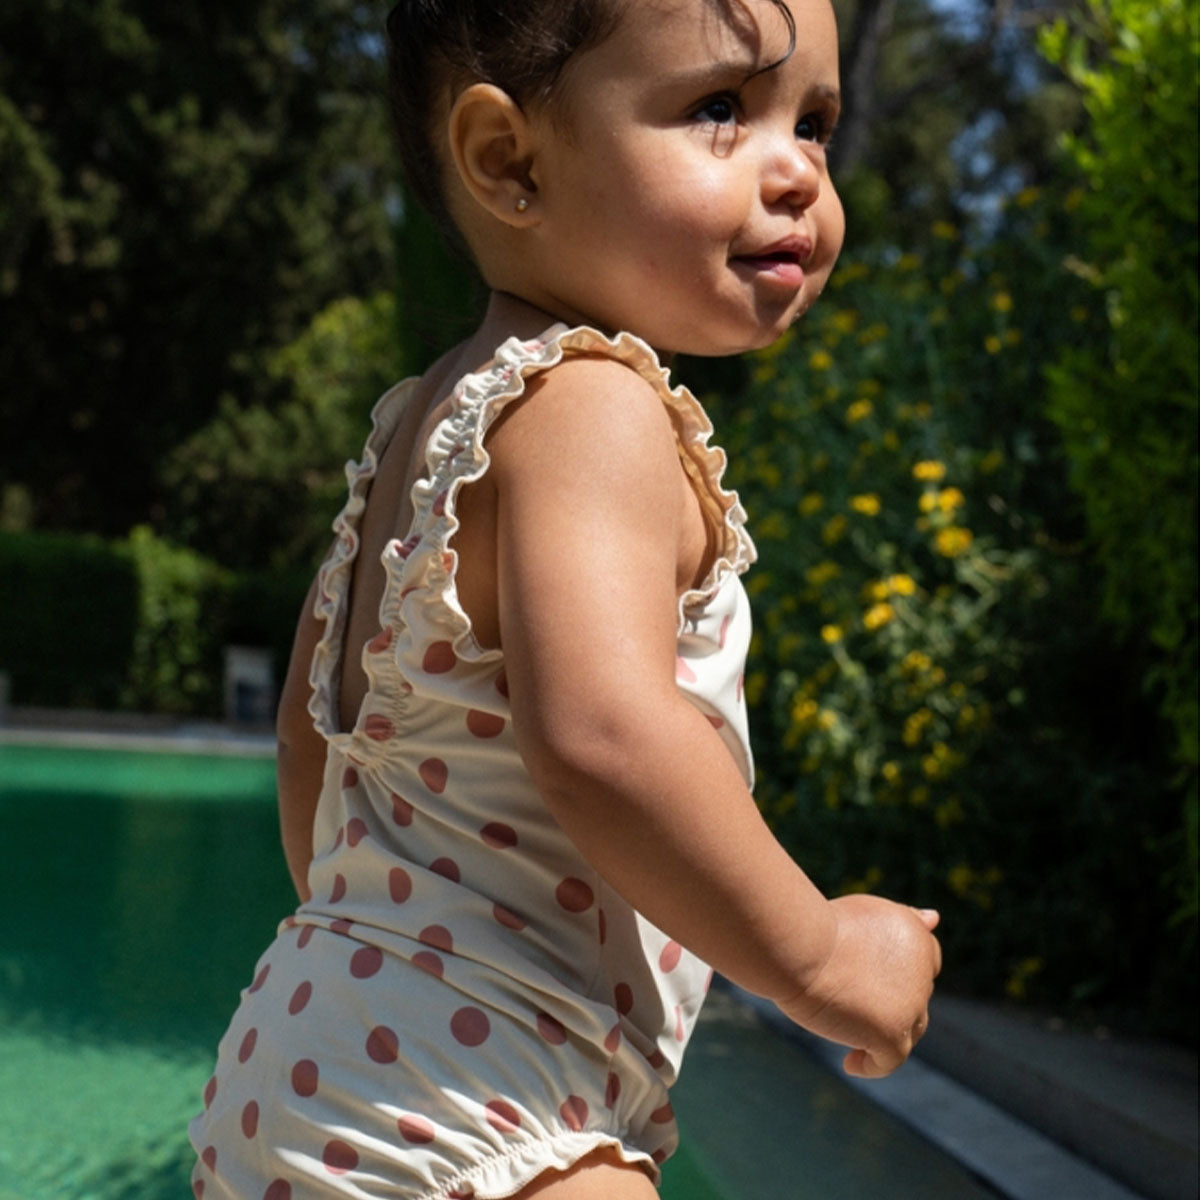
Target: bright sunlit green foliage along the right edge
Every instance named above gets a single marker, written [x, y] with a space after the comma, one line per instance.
[1127, 403]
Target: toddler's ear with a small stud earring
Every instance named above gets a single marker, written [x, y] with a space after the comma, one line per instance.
[491, 145]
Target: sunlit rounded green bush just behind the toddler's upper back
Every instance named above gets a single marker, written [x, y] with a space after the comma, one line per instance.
[259, 487]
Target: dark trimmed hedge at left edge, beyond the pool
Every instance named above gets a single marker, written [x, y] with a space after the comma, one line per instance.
[68, 619]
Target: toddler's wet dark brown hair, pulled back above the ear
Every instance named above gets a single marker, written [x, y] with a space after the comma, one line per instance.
[521, 46]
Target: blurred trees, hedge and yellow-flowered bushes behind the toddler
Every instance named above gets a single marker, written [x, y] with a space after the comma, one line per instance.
[971, 472]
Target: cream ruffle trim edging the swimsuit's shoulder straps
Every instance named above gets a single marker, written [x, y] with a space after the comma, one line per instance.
[455, 457]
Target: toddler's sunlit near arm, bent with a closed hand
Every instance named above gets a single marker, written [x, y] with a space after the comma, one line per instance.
[591, 517]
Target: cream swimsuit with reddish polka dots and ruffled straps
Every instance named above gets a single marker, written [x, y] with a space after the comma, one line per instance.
[465, 1003]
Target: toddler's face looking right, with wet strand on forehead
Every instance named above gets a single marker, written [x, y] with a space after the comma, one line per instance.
[685, 197]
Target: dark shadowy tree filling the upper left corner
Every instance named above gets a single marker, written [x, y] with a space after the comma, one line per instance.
[185, 188]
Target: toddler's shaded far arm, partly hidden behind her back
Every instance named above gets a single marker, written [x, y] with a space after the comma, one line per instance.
[301, 759]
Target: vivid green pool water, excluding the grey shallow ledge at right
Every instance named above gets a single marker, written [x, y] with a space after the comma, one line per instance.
[137, 891]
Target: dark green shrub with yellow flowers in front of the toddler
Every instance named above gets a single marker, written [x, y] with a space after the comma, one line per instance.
[934, 715]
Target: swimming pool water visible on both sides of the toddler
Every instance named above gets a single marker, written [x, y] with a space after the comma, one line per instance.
[139, 889]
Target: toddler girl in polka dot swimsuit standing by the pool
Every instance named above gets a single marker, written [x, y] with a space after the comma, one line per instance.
[514, 772]
